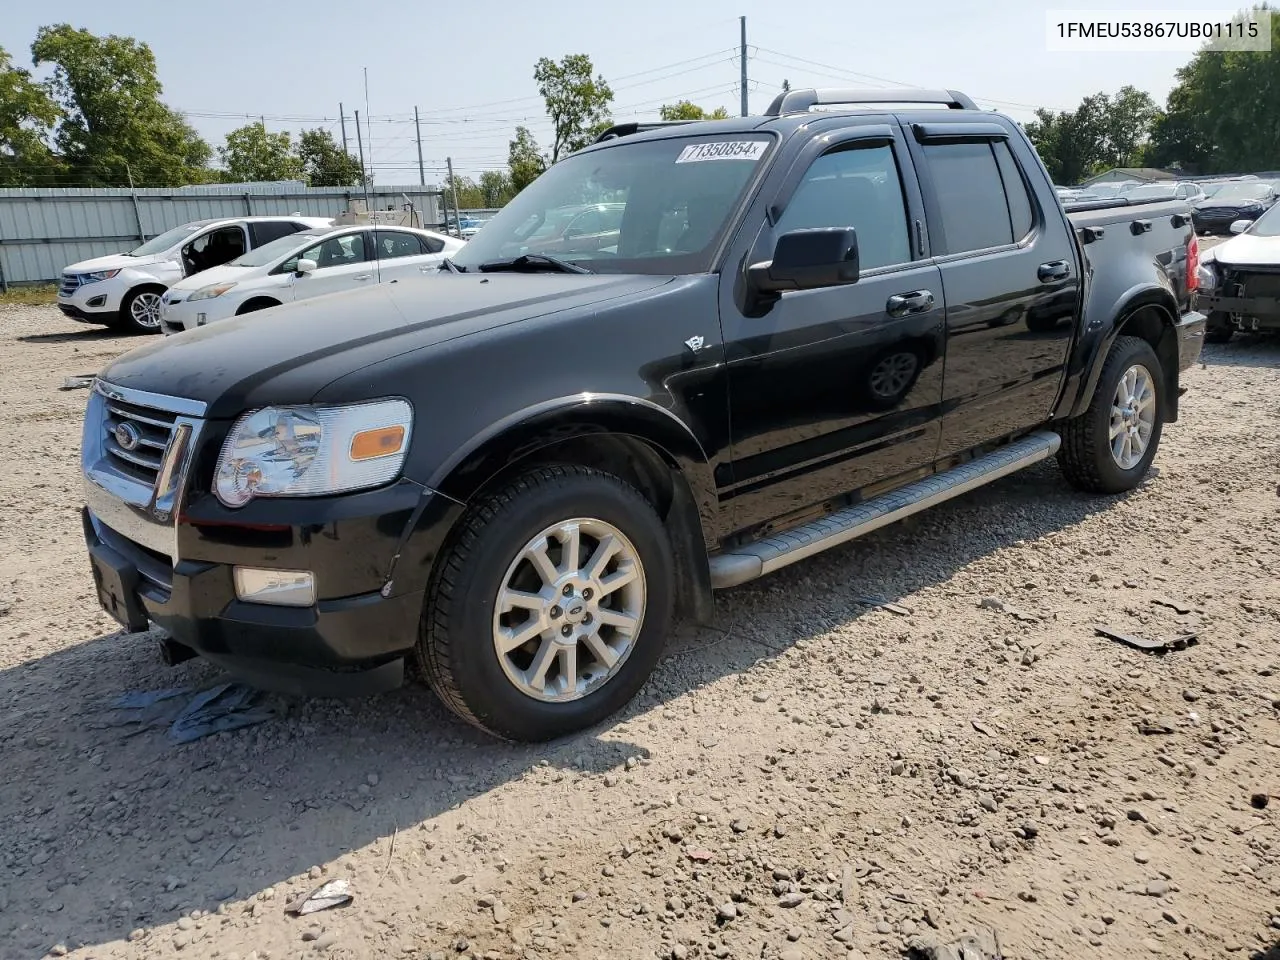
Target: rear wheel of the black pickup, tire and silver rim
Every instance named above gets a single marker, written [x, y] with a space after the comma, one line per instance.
[1110, 447]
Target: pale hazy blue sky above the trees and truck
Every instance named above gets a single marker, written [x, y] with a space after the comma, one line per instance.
[469, 67]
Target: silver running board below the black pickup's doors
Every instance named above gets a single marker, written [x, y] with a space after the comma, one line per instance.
[775, 552]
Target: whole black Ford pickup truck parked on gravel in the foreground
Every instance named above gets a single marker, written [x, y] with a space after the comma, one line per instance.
[518, 473]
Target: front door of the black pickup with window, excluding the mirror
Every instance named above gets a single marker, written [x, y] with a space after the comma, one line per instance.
[840, 388]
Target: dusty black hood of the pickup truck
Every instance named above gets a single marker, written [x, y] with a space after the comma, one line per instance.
[292, 353]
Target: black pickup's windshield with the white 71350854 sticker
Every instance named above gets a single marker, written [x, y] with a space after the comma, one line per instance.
[651, 208]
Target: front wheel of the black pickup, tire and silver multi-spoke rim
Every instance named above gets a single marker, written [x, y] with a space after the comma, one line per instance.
[551, 607]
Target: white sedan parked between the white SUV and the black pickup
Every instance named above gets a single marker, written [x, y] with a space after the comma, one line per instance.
[309, 264]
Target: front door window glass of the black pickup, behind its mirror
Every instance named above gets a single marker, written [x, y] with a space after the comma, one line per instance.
[856, 188]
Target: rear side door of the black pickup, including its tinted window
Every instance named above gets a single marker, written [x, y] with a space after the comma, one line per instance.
[1009, 276]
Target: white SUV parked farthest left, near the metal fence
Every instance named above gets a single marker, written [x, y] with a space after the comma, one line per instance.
[125, 290]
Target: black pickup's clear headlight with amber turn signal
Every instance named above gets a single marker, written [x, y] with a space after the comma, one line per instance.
[313, 451]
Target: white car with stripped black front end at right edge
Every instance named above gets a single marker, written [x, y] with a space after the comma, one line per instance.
[1240, 281]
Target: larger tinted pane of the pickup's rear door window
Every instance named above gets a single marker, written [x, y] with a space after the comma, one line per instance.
[971, 194]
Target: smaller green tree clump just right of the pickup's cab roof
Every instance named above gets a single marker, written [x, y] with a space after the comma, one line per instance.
[1103, 132]
